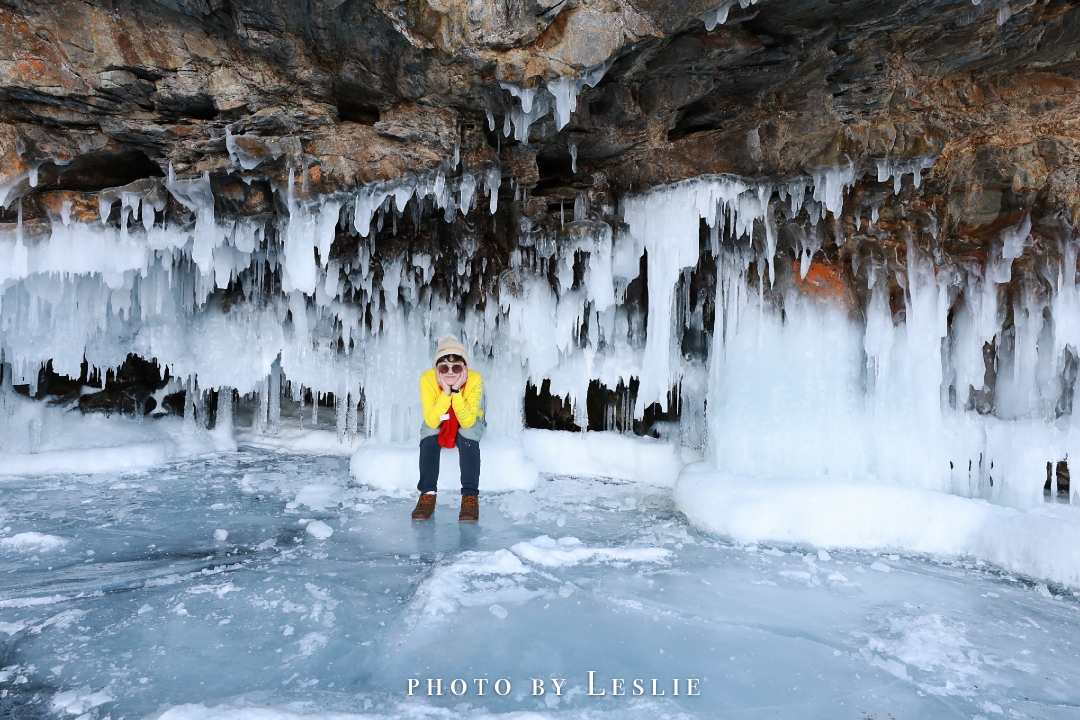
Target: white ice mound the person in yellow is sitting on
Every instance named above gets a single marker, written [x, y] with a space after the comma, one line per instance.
[396, 468]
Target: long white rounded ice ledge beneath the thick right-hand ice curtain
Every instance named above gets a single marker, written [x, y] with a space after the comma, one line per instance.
[865, 515]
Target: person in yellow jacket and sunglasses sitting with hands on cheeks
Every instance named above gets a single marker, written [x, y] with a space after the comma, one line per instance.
[451, 396]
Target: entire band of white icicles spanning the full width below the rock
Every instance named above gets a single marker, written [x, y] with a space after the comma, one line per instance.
[808, 392]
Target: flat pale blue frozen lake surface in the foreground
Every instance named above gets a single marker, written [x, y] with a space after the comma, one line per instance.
[118, 601]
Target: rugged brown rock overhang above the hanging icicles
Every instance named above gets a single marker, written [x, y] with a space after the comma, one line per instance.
[984, 101]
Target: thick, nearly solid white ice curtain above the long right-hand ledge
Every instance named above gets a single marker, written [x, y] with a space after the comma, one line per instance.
[819, 395]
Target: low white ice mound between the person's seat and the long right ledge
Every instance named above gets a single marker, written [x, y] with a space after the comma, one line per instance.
[603, 455]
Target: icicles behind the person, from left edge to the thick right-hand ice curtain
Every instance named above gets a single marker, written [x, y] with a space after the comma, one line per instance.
[98, 293]
